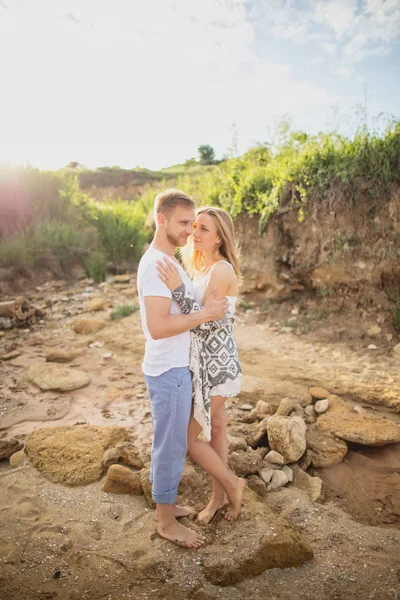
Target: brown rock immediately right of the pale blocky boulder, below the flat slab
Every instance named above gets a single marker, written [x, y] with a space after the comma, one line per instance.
[327, 450]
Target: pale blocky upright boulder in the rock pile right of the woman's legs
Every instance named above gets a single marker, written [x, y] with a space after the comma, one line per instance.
[287, 435]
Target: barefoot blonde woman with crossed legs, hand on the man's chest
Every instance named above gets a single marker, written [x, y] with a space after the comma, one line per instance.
[212, 261]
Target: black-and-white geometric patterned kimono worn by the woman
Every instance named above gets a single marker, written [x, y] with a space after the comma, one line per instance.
[213, 357]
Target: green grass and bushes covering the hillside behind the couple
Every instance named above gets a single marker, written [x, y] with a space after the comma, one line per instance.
[46, 214]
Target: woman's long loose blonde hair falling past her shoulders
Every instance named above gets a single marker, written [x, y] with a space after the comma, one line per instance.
[229, 248]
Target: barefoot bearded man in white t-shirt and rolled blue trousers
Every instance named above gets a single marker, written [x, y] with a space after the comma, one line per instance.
[166, 362]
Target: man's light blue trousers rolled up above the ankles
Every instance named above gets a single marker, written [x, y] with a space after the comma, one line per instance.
[171, 403]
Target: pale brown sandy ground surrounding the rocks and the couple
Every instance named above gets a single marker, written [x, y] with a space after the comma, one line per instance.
[80, 543]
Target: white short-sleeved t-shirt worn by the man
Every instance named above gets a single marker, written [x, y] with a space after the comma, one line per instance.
[167, 353]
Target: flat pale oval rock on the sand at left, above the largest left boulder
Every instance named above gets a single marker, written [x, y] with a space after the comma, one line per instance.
[49, 376]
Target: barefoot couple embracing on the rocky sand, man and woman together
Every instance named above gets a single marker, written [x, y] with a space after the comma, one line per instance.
[191, 362]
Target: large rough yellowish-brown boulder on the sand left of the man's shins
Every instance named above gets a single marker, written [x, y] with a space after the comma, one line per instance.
[72, 454]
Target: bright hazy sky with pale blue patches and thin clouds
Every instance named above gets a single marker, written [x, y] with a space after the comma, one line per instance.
[145, 82]
